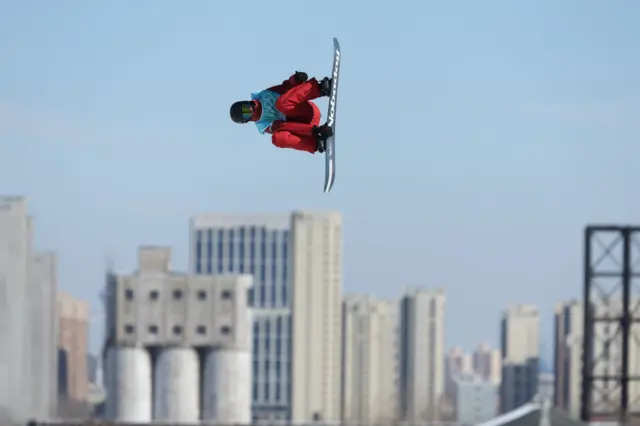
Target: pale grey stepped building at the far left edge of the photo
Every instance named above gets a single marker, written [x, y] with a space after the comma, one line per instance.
[27, 318]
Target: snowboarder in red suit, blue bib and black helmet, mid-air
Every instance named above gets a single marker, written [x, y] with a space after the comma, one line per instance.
[286, 112]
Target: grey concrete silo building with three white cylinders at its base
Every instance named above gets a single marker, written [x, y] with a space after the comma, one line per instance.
[173, 327]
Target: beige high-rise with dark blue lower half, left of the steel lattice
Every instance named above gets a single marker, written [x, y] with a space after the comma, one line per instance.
[520, 330]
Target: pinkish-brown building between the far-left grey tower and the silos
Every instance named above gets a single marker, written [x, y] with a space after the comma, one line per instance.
[73, 336]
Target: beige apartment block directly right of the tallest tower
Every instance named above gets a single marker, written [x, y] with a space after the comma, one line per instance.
[369, 347]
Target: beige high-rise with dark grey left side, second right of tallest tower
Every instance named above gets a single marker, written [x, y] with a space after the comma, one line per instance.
[422, 316]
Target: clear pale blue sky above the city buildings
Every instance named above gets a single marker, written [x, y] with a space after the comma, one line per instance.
[476, 138]
